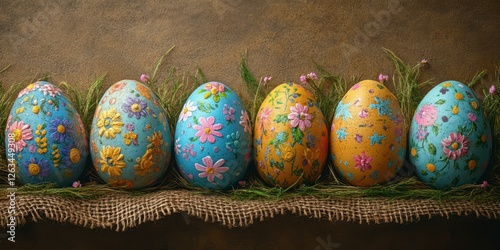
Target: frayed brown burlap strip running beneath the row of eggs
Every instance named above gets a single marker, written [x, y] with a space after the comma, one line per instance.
[121, 212]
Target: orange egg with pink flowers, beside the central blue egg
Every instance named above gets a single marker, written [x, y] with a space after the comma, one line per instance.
[291, 137]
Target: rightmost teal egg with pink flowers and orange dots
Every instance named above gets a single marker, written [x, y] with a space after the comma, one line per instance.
[450, 137]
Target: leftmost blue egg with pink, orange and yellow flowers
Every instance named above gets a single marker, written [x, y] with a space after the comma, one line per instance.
[45, 137]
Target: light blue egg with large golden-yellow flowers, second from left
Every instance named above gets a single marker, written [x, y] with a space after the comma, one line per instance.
[130, 137]
